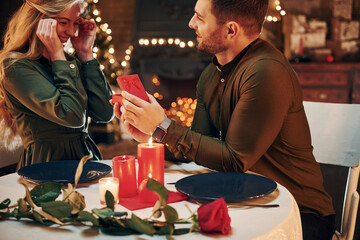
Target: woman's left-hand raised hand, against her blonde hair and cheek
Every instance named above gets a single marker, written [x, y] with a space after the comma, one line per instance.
[46, 32]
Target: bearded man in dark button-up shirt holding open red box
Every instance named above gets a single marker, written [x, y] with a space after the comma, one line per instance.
[249, 113]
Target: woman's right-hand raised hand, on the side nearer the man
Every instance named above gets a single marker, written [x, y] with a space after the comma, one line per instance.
[84, 42]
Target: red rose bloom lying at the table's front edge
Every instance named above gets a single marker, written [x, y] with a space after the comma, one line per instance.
[214, 217]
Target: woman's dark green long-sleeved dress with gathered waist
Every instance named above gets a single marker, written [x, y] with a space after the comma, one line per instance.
[51, 102]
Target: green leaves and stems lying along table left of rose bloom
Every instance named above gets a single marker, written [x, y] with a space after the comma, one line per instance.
[41, 204]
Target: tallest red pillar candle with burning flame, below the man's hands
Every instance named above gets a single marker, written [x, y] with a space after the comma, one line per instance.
[151, 161]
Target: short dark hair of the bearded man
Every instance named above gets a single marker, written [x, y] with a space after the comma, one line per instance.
[250, 14]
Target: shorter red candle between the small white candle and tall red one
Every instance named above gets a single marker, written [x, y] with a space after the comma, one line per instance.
[124, 170]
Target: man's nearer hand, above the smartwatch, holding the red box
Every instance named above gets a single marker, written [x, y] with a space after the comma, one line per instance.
[141, 114]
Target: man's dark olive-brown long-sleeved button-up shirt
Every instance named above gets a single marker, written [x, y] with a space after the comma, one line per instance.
[250, 116]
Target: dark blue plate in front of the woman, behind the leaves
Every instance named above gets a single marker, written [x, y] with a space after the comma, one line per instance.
[63, 171]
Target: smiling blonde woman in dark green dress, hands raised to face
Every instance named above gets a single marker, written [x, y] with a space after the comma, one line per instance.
[46, 94]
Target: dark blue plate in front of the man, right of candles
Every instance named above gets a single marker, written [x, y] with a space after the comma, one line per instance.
[233, 187]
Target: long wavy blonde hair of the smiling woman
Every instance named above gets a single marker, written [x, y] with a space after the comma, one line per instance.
[21, 42]
